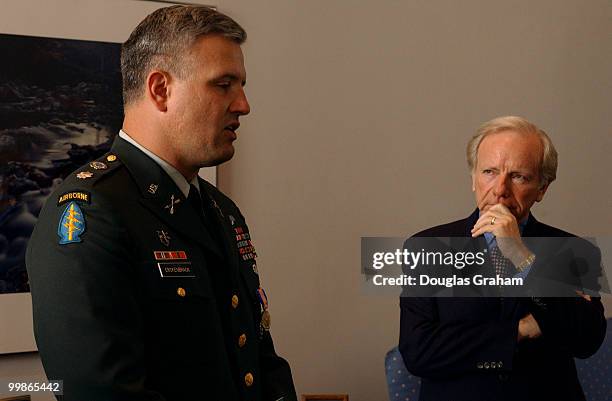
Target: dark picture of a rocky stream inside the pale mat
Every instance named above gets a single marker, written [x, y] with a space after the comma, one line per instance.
[60, 107]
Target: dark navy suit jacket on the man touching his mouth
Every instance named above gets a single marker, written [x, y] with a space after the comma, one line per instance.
[467, 349]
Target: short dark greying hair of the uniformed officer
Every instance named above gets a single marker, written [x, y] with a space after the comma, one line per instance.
[163, 39]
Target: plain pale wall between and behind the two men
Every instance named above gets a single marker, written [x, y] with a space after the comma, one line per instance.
[360, 115]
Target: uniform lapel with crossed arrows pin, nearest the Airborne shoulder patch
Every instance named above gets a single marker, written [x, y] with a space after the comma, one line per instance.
[161, 195]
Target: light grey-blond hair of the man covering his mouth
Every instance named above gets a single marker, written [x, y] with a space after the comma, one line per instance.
[548, 166]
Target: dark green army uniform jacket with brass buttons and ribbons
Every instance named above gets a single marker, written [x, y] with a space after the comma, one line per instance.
[116, 318]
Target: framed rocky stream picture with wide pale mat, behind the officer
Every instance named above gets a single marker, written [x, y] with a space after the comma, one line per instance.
[60, 106]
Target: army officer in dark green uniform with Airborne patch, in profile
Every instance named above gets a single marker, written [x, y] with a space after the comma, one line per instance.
[144, 278]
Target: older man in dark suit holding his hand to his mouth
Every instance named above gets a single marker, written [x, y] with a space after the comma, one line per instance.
[494, 349]
